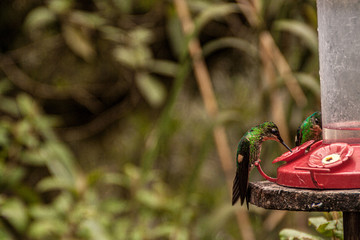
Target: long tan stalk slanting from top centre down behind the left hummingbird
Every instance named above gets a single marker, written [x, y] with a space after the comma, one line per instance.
[208, 96]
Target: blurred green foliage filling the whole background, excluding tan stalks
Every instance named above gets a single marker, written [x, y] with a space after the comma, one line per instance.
[103, 134]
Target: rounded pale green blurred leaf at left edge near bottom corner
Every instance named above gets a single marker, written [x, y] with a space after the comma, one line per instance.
[15, 211]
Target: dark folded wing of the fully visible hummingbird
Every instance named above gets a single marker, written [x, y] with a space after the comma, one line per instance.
[241, 179]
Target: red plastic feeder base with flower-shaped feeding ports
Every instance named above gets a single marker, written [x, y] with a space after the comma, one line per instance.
[324, 166]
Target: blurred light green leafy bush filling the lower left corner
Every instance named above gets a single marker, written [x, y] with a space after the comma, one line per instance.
[66, 203]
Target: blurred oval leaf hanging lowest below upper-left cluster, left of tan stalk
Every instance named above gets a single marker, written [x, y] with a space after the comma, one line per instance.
[151, 88]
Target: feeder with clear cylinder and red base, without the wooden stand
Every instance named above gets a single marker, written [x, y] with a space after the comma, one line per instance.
[333, 163]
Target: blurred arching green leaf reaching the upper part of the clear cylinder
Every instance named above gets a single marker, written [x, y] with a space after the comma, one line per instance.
[301, 30]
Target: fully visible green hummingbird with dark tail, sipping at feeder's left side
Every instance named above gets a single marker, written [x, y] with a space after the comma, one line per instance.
[248, 153]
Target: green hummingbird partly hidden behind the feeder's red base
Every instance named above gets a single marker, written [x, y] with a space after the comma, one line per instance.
[310, 129]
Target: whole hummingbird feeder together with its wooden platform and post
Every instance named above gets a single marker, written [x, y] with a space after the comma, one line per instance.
[333, 164]
